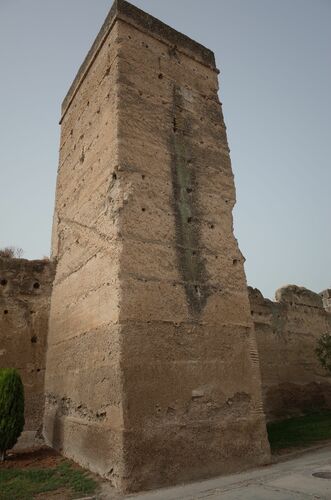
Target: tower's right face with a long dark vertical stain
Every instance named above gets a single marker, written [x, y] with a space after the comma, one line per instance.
[192, 405]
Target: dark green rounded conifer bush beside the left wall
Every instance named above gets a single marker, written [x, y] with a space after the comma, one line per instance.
[11, 409]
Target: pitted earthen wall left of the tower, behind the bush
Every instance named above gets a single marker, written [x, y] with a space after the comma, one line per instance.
[25, 288]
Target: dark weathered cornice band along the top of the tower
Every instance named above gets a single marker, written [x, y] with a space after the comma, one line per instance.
[126, 12]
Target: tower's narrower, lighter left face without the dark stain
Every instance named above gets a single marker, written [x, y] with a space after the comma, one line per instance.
[83, 412]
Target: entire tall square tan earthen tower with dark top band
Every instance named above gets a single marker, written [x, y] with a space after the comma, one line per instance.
[152, 371]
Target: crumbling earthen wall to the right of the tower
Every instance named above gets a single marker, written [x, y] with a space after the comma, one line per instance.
[293, 382]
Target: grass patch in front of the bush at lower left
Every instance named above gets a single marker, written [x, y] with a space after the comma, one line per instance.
[20, 484]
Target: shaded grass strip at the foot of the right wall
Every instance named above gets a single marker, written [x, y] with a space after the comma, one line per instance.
[300, 431]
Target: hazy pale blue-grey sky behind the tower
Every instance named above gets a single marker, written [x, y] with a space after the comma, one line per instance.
[275, 85]
